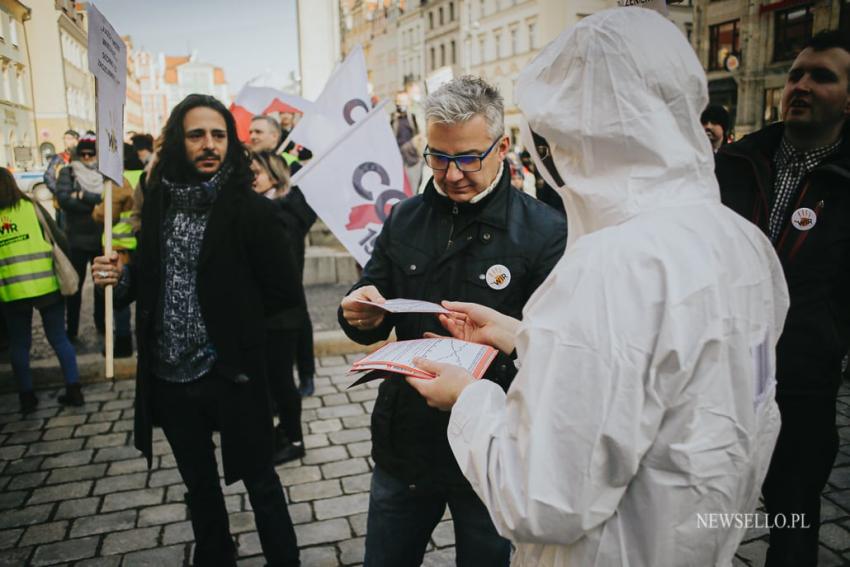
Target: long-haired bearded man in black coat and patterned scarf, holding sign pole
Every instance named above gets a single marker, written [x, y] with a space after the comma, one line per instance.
[213, 266]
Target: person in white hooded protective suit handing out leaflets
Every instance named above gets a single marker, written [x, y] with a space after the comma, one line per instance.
[644, 408]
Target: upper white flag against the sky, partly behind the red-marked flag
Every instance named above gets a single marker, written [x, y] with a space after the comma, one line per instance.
[344, 101]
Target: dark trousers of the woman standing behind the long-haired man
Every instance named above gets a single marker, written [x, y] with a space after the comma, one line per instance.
[279, 354]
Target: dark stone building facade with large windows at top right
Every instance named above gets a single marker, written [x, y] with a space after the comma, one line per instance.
[747, 49]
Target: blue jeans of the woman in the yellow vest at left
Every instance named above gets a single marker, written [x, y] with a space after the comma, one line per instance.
[19, 323]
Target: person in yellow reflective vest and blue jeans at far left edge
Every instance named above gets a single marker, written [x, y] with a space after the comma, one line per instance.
[27, 281]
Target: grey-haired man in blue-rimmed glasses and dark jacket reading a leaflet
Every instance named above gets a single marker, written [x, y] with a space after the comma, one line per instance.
[469, 236]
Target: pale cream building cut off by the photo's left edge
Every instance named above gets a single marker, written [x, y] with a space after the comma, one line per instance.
[18, 147]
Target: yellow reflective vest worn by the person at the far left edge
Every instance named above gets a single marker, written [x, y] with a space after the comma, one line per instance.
[26, 258]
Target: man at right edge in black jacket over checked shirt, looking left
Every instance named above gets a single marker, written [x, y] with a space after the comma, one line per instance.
[793, 180]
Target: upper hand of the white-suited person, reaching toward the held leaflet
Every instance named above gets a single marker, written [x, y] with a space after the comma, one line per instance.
[478, 324]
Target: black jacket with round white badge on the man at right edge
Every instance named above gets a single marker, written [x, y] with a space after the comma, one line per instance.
[816, 262]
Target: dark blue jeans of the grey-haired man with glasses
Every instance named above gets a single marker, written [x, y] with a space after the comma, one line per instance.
[402, 517]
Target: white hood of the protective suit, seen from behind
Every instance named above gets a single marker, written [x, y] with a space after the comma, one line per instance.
[622, 122]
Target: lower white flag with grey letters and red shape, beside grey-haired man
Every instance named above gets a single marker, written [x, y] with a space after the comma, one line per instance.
[353, 185]
